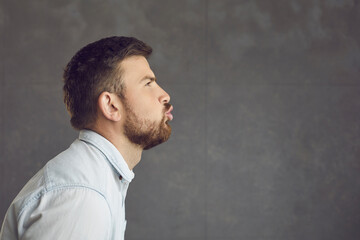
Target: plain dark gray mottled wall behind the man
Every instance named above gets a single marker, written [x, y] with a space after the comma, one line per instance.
[266, 133]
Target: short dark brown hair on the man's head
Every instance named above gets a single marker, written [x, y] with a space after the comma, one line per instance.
[94, 69]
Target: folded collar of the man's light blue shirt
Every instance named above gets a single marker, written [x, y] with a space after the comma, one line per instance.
[110, 151]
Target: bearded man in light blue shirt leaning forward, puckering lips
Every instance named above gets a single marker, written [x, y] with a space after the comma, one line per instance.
[114, 100]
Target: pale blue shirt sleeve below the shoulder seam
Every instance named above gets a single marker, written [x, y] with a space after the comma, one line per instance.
[67, 213]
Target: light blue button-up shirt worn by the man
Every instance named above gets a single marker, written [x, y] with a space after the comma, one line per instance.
[79, 194]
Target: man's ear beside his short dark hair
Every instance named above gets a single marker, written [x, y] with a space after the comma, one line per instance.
[109, 106]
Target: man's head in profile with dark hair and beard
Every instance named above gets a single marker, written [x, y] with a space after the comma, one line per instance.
[116, 68]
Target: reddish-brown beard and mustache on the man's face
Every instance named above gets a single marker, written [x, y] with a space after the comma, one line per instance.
[144, 132]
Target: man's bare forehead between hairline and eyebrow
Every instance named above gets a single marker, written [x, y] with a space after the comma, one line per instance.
[135, 67]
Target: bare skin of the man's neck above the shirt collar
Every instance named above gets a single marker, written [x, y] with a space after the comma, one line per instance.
[130, 151]
